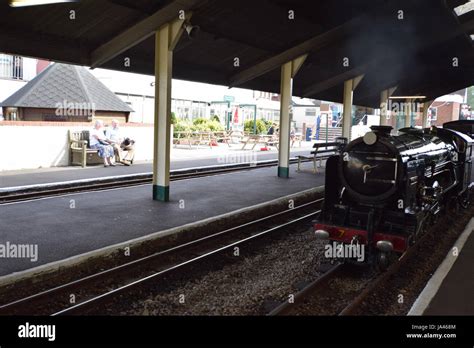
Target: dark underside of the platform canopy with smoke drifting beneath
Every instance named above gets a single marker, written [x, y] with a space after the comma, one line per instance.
[424, 47]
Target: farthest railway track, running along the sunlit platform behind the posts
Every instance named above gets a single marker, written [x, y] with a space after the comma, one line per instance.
[98, 184]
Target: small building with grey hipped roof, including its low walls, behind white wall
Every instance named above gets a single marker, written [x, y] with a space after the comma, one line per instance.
[65, 93]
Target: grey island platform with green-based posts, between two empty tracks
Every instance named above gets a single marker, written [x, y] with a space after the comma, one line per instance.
[99, 219]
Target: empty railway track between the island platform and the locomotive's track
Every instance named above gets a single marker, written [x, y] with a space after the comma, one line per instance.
[99, 288]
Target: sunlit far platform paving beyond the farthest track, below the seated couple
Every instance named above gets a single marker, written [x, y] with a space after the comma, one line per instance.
[190, 158]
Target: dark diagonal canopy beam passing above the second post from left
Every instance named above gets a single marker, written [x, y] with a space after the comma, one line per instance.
[316, 43]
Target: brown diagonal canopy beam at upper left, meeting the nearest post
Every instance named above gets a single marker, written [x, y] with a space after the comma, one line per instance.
[140, 31]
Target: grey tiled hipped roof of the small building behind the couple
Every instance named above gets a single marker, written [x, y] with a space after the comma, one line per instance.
[62, 83]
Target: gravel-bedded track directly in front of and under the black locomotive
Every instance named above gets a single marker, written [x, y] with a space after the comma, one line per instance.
[330, 286]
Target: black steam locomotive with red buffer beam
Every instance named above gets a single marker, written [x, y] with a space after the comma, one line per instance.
[382, 191]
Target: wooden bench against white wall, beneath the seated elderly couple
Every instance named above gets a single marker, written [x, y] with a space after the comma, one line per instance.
[80, 153]
